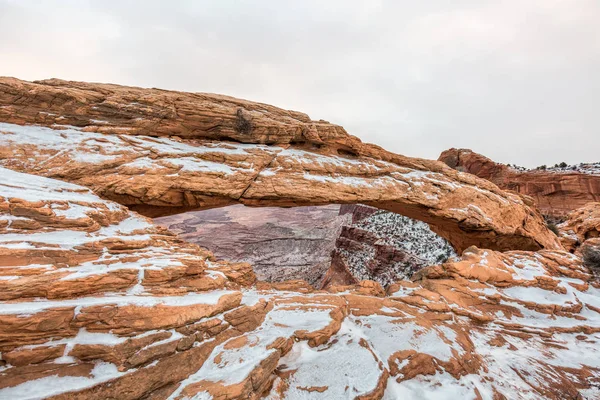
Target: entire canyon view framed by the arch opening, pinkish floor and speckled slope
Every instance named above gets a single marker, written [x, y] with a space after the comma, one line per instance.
[324, 246]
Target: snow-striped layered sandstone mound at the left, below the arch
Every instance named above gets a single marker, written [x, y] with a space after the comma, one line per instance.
[69, 318]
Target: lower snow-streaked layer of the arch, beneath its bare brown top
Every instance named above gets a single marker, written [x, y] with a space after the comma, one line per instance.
[158, 174]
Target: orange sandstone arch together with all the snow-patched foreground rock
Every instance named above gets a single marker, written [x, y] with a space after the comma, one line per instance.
[98, 302]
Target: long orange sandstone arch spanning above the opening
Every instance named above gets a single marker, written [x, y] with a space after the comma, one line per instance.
[160, 152]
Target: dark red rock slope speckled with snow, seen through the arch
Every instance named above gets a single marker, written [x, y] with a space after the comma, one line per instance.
[383, 247]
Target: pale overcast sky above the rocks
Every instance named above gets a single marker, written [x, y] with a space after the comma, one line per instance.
[516, 80]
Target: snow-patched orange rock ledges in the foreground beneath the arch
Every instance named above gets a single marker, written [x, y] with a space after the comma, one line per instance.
[100, 303]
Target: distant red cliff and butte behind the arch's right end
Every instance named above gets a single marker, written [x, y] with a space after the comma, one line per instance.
[556, 191]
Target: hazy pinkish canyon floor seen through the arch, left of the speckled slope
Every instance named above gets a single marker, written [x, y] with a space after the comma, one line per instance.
[280, 243]
